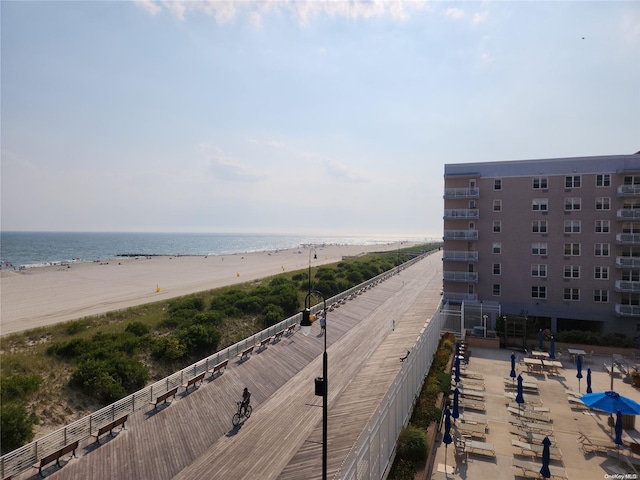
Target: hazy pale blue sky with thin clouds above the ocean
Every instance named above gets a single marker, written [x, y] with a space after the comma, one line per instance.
[316, 117]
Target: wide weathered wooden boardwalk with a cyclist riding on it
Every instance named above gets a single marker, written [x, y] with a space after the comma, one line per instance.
[192, 438]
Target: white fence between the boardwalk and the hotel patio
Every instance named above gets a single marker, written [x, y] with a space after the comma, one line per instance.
[371, 455]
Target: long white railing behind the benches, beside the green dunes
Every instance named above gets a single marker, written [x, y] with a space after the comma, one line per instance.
[23, 458]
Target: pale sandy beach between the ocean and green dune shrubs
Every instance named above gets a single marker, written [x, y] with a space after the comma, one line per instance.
[43, 296]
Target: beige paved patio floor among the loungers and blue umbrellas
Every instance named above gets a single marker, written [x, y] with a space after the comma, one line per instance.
[494, 365]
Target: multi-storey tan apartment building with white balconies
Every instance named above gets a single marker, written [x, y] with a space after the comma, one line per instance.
[556, 238]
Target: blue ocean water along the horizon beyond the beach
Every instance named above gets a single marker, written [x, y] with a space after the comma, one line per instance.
[32, 249]
